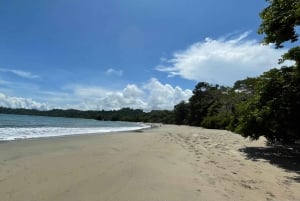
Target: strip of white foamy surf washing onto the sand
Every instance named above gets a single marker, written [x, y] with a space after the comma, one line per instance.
[9, 133]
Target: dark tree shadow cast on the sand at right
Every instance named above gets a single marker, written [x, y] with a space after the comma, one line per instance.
[285, 157]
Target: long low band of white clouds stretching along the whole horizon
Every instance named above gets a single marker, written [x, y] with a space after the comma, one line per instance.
[152, 95]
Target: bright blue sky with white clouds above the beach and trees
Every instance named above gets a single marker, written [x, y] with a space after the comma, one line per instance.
[111, 54]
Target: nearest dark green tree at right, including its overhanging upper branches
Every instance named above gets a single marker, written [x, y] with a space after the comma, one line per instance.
[274, 109]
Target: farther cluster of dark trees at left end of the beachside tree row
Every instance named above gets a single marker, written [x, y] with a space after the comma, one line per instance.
[211, 106]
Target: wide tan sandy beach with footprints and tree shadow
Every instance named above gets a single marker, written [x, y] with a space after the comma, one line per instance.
[169, 163]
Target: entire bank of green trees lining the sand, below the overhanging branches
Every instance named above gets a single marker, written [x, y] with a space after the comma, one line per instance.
[267, 105]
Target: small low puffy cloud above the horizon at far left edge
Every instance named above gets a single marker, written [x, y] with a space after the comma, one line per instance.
[18, 102]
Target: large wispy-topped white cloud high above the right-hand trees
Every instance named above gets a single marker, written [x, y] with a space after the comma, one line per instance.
[222, 61]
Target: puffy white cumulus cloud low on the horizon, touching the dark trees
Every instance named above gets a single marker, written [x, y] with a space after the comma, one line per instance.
[153, 95]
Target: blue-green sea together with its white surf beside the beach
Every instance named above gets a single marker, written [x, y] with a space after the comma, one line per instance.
[13, 127]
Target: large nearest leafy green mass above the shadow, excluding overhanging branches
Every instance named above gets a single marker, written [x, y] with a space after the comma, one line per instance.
[274, 109]
